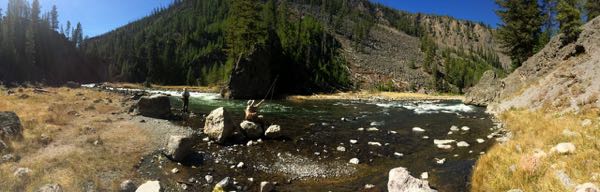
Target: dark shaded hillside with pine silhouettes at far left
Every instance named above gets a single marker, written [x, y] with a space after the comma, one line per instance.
[32, 49]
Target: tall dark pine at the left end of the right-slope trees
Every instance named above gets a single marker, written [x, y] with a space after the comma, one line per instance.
[520, 31]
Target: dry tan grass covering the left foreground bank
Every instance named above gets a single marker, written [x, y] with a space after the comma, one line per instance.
[71, 158]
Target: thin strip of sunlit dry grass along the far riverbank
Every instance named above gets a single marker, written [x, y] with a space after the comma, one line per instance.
[382, 95]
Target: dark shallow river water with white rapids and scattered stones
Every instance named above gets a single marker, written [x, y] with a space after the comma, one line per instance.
[312, 159]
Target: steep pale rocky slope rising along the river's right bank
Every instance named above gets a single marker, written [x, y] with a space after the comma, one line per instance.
[561, 77]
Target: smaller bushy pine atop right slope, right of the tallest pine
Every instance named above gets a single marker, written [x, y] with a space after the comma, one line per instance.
[569, 19]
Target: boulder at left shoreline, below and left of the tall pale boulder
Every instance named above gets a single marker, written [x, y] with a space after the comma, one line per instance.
[179, 147]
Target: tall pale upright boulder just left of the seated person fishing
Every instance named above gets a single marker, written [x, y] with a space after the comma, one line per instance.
[219, 125]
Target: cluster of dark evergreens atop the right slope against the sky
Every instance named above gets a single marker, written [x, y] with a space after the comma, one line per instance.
[528, 25]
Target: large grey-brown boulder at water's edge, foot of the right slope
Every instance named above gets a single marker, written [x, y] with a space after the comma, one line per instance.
[486, 91]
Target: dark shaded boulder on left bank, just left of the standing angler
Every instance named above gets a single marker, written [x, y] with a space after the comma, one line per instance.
[155, 106]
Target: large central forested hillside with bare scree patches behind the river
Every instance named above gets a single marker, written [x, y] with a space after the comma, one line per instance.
[310, 45]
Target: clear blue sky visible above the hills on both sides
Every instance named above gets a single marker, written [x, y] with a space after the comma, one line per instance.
[101, 16]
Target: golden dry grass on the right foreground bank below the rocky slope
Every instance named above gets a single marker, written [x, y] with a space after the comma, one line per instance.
[532, 170]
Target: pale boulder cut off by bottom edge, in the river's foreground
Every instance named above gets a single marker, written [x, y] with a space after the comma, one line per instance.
[400, 180]
